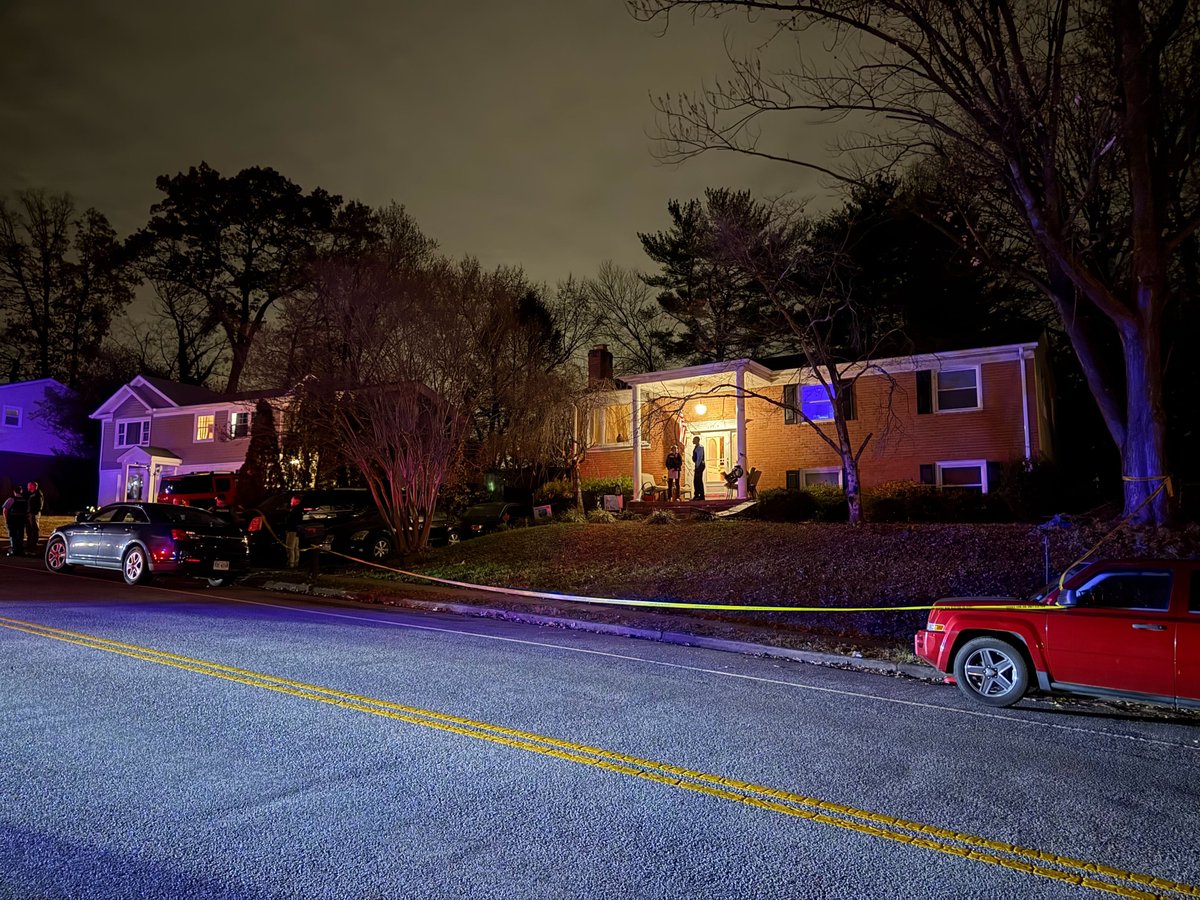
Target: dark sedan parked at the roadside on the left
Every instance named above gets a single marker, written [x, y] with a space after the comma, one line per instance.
[146, 539]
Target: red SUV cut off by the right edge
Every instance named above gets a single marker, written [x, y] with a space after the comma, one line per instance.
[1117, 629]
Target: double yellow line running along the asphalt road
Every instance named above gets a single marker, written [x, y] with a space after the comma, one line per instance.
[982, 850]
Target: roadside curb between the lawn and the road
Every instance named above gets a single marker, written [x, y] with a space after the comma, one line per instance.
[748, 649]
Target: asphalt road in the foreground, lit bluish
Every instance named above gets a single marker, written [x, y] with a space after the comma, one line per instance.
[177, 742]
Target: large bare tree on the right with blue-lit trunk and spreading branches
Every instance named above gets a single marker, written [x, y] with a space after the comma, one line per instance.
[1083, 112]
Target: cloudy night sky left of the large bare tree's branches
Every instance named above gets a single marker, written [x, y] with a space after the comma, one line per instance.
[519, 131]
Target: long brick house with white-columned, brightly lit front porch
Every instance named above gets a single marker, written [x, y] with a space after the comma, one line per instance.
[947, 419]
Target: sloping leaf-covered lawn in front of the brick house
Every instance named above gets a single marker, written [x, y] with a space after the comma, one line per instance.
[763, 563]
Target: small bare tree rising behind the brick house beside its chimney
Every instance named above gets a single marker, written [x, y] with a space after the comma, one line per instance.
[629, 319]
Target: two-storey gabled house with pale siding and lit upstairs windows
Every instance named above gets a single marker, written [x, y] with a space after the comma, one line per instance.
[153, 428]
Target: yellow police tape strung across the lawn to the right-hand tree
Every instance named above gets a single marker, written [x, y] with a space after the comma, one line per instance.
[731, 608]
